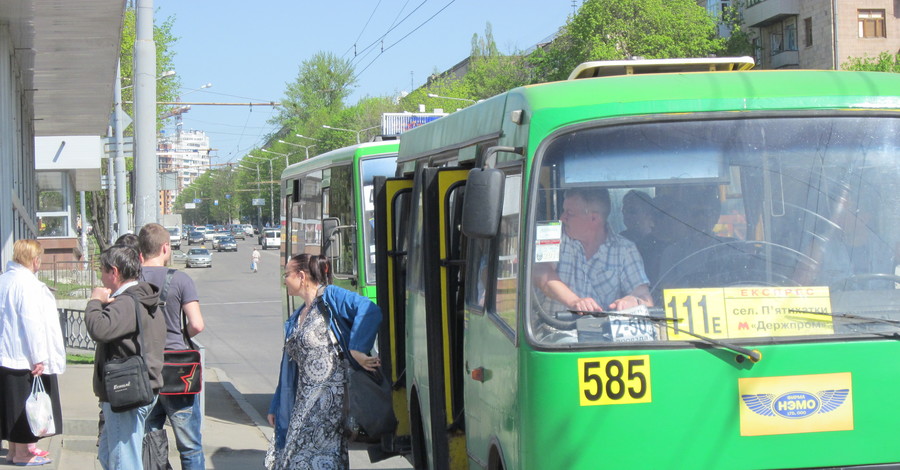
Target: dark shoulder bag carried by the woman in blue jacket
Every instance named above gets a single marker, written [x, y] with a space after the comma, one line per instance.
[368, 397]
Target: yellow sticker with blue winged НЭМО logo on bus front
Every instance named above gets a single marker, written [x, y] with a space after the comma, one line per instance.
[796, 404]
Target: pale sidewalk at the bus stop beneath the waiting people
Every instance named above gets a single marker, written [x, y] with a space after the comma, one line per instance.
[235, 436]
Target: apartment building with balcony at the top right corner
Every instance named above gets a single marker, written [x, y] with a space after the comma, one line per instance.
[821, 34]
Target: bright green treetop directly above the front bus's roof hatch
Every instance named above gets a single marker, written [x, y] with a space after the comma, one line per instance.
[622, 29]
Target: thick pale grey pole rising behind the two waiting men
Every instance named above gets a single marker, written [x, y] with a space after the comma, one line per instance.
[146, 194]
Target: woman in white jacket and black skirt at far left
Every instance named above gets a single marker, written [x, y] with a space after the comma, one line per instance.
[31, 349]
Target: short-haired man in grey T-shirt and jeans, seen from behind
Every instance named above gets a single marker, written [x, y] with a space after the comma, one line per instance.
[183, 410]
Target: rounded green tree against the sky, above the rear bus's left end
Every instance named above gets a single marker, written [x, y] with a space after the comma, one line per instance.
[323, 83]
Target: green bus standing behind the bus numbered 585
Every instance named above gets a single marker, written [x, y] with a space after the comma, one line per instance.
[328, 205]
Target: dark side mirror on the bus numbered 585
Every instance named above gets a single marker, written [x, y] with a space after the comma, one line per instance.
[483, 206]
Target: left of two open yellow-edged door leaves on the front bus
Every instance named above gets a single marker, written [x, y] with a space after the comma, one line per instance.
[392, 196]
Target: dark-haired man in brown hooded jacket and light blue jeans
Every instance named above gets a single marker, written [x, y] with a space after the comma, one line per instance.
[110, 320]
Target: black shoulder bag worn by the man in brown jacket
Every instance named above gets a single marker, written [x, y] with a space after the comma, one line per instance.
[127, 380]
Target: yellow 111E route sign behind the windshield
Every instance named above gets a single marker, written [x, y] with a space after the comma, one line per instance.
[748, 312]
